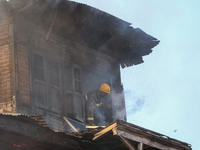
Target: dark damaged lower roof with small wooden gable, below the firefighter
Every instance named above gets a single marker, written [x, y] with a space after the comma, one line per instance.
[23, 132]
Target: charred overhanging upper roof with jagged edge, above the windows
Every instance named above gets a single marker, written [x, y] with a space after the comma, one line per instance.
[88, 26]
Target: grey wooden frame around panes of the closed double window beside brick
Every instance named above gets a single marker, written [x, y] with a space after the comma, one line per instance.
[49, 103]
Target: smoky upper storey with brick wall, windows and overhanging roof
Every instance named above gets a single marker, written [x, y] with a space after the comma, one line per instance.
[54, 52]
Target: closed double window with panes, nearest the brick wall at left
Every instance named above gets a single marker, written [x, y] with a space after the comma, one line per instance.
[46, 83]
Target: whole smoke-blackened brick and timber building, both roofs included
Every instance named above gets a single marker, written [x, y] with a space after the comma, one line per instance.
[52, 52]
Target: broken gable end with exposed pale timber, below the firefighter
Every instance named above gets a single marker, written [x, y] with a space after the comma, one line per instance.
[141, 136]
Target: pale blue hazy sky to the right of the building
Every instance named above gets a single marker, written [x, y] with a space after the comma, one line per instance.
[163, 93]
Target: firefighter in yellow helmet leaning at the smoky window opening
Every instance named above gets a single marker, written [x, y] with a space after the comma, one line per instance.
[93, 100]
